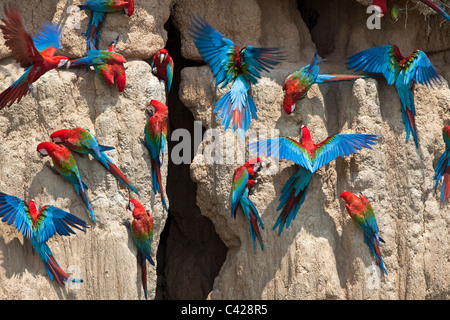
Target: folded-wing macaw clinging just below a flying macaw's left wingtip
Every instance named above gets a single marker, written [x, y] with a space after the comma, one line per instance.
[243, 181]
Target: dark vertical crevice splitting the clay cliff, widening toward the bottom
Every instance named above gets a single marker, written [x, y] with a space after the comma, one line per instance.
[190, 253]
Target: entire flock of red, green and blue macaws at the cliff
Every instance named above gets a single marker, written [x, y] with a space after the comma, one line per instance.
[230, 65]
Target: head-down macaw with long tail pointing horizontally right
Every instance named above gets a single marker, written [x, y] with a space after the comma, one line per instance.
[297, 85]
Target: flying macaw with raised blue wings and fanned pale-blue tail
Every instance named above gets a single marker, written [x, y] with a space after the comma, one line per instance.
[228, 64]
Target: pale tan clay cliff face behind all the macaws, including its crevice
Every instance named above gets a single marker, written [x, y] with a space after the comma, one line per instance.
[200, 251]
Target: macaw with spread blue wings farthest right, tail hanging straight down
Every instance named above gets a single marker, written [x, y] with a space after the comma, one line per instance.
[401, 72]
